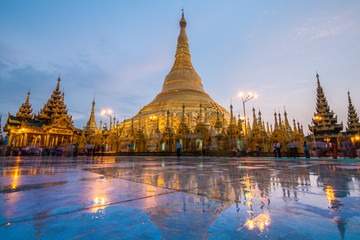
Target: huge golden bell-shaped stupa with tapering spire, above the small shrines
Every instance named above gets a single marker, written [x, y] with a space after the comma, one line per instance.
[182, 87]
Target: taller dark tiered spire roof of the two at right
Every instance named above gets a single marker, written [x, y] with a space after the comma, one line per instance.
[324, 123]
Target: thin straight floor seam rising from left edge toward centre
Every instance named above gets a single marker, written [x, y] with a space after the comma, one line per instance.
[84, 209]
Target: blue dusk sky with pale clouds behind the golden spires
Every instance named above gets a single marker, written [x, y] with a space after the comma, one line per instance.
[122, 51]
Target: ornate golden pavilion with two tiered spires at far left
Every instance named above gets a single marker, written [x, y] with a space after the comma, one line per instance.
[52, 126]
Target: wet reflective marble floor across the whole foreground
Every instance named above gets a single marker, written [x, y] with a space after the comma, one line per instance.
[164, 198]
